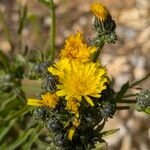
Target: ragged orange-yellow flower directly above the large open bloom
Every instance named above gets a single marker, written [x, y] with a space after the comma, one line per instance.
[76, 48]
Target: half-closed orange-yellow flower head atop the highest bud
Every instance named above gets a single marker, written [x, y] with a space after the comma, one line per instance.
[100, 11]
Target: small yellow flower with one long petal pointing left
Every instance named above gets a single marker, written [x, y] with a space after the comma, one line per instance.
[48, 99]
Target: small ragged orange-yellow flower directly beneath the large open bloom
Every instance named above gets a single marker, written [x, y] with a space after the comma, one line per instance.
[73, 106]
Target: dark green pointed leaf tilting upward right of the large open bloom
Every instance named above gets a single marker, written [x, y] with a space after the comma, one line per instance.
[122, 92]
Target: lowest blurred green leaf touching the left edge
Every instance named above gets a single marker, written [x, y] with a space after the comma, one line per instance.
[5, 129]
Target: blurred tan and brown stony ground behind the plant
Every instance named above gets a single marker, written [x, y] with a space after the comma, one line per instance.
[127, 59]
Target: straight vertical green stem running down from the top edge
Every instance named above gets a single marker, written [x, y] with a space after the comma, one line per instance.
[52, 31]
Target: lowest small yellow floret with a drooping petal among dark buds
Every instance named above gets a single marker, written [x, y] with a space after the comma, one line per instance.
[72, 130]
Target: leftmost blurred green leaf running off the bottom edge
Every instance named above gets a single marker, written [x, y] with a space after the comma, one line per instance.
[21, 139]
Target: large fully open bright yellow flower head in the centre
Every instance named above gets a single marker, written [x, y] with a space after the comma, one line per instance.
[79, 79]
